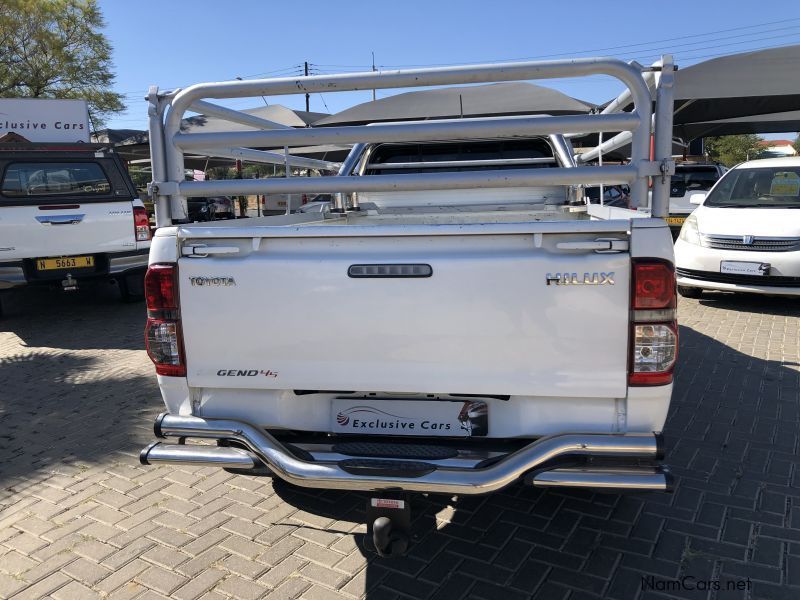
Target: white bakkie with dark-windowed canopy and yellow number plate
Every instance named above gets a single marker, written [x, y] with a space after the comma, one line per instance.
[69, 214]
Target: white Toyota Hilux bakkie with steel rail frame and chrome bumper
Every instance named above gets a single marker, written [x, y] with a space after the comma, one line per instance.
[460, 319]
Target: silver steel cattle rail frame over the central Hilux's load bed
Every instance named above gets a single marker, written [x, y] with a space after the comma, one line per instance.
[168, 143]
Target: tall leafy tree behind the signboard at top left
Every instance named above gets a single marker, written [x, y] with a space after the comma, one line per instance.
[54, 49]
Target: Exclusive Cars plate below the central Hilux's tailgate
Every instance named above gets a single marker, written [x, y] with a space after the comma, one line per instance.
[462, 418]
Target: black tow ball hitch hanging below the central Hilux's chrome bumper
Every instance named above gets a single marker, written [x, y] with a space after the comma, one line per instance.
[388, 526]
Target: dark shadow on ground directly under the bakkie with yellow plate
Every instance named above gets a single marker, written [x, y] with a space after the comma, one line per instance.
[91, 318]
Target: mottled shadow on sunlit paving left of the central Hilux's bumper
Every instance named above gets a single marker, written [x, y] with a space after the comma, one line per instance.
[54, 411]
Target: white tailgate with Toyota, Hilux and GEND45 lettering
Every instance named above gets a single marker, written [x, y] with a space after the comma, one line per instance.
[285, 314]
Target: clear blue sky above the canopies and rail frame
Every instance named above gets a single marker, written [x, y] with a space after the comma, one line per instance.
[176, 43]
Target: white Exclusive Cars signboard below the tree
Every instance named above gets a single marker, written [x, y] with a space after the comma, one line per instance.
[40, 120]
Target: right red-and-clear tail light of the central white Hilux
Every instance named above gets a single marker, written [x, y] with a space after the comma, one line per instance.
[654, 326]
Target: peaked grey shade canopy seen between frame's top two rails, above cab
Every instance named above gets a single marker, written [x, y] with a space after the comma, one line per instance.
[516, 98]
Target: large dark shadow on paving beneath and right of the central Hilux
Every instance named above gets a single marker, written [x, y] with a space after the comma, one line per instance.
[734, 517]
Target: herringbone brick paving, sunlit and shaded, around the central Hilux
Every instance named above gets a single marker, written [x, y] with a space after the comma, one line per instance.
[80, 518]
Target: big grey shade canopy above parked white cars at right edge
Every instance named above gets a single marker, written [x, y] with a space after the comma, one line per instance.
[739, 85]
